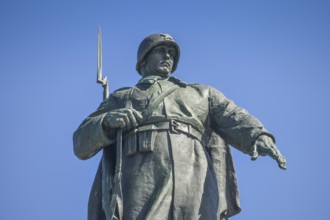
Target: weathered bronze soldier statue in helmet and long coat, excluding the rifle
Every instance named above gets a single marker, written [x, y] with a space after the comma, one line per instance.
[176, 161]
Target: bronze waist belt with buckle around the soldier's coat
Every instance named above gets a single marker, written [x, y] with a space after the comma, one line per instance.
[175, 127]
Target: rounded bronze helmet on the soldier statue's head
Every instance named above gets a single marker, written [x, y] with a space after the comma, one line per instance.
[152, 41]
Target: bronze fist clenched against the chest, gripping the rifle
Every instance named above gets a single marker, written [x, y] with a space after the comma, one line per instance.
[125, 118]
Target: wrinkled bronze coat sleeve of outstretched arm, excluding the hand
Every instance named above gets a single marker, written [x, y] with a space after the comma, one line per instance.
[234, 124]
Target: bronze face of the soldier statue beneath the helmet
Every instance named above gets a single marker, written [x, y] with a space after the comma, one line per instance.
[160, 60]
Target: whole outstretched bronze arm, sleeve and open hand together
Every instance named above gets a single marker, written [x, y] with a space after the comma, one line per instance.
[242, 130]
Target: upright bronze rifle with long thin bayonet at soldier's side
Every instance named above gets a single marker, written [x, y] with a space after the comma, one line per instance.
[109, 207]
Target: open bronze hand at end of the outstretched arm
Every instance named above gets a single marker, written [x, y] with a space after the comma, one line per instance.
[263, 146]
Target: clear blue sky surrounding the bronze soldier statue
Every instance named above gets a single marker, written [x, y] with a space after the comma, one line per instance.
[271, 57]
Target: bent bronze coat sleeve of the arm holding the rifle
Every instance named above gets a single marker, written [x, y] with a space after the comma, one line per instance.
[90, 137]
